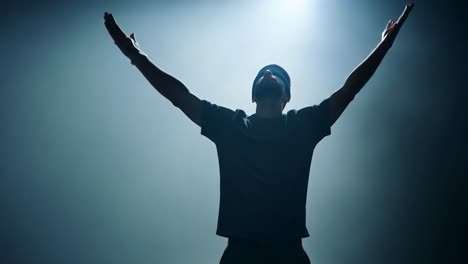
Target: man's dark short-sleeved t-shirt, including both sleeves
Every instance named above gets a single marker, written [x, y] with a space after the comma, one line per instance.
[264, 168]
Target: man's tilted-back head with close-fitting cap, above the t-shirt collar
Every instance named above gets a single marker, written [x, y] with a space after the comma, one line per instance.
[272, 86]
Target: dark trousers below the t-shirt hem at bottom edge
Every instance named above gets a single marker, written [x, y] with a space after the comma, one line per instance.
[241, 251]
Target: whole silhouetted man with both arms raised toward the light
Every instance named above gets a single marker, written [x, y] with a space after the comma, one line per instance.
[264, 158]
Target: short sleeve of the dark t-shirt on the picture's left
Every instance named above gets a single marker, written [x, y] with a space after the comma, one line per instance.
[215, 120]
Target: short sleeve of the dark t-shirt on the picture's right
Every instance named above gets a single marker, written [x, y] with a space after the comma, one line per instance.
[314, 120]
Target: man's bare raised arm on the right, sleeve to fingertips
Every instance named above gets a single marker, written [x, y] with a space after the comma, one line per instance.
[340, 99]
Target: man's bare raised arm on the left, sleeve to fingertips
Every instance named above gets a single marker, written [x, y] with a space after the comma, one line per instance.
[168, 86]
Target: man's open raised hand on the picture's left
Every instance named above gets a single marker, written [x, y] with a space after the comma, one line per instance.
[128, 45]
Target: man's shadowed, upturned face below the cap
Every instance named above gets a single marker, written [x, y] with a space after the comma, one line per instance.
[270, 90]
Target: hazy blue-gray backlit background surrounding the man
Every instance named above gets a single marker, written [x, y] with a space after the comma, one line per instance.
[97, 167]
